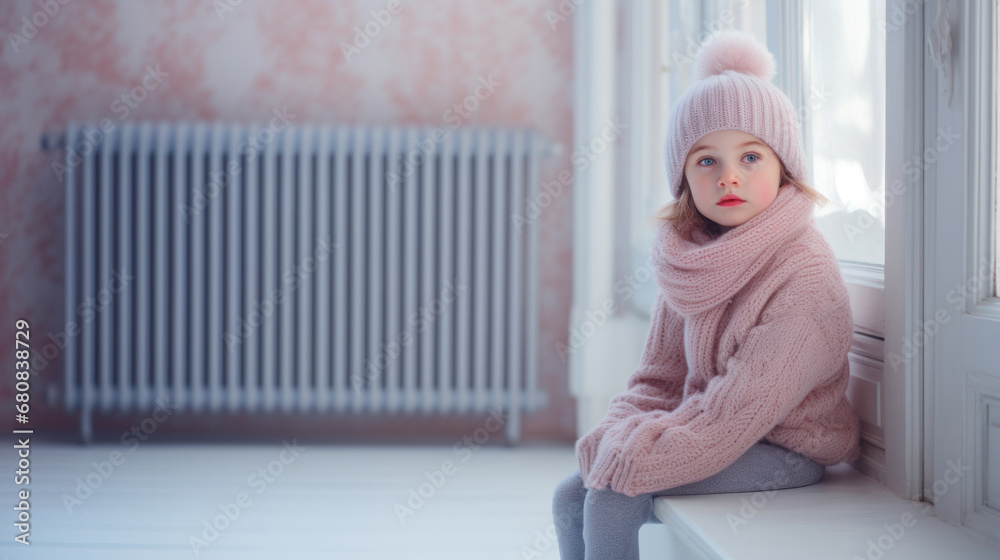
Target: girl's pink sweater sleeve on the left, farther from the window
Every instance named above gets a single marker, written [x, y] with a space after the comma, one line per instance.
[656, 386]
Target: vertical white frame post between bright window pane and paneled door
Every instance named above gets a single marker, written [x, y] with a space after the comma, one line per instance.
[902, 396]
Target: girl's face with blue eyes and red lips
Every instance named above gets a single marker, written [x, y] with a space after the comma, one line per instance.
[732, 162]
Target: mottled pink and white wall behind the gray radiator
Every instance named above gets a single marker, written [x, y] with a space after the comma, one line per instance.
[188, 62]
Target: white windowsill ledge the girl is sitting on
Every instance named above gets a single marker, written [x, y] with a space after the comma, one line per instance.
[845, 516]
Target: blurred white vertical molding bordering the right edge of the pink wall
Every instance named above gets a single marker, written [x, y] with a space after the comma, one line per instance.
[599, 333]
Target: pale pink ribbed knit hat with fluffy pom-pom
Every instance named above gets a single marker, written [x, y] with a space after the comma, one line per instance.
[733, 92]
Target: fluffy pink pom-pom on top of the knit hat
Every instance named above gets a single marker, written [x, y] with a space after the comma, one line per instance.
[732, 50]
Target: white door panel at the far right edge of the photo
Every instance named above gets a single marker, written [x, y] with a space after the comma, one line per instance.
[961, 331]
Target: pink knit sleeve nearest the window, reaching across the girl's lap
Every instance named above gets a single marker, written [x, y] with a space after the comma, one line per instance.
[778, 364]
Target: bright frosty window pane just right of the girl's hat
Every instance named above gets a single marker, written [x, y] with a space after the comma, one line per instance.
[843, 116]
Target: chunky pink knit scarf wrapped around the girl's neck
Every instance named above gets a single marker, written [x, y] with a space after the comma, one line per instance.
[697, 273]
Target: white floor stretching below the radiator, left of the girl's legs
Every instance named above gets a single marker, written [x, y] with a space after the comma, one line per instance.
[156, 500]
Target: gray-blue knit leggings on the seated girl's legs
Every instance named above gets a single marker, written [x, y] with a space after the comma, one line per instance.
[604, 524]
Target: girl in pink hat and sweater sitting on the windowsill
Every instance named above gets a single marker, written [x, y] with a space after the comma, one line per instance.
[741, 386]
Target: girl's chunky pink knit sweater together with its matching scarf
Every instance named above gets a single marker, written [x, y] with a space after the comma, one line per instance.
[748, 341]
